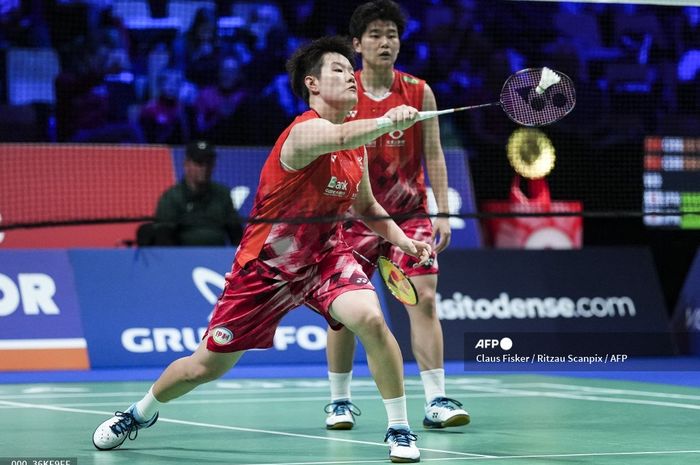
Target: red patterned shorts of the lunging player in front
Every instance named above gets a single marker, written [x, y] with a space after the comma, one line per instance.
[255, 299]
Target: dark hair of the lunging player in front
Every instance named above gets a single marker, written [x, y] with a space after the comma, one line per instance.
[308, 59]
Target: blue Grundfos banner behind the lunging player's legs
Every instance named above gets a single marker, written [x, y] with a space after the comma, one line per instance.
[150, 306]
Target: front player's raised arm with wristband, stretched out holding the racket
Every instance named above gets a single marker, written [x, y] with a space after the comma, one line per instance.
[313, 138]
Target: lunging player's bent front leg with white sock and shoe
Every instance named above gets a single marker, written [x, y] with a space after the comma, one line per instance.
[359, 311]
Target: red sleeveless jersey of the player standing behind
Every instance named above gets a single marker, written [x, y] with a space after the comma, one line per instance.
[395, 168]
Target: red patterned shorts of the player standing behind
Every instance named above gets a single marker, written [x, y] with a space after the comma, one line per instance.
[363, 240]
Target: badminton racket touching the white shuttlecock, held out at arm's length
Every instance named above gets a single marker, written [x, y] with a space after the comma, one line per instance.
[531, 97]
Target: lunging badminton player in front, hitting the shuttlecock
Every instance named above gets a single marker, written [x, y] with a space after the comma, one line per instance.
[317, 167]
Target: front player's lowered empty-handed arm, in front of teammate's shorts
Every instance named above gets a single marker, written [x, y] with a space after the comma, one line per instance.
[366, 205]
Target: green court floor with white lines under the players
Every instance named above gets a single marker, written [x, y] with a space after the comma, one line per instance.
[516, 419]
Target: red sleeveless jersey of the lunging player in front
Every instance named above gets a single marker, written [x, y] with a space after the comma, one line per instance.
[325, 187]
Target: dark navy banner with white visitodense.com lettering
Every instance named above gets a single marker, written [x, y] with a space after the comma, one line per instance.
[536, 293]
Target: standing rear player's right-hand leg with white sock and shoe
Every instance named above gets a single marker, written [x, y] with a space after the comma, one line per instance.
[428, 349]
